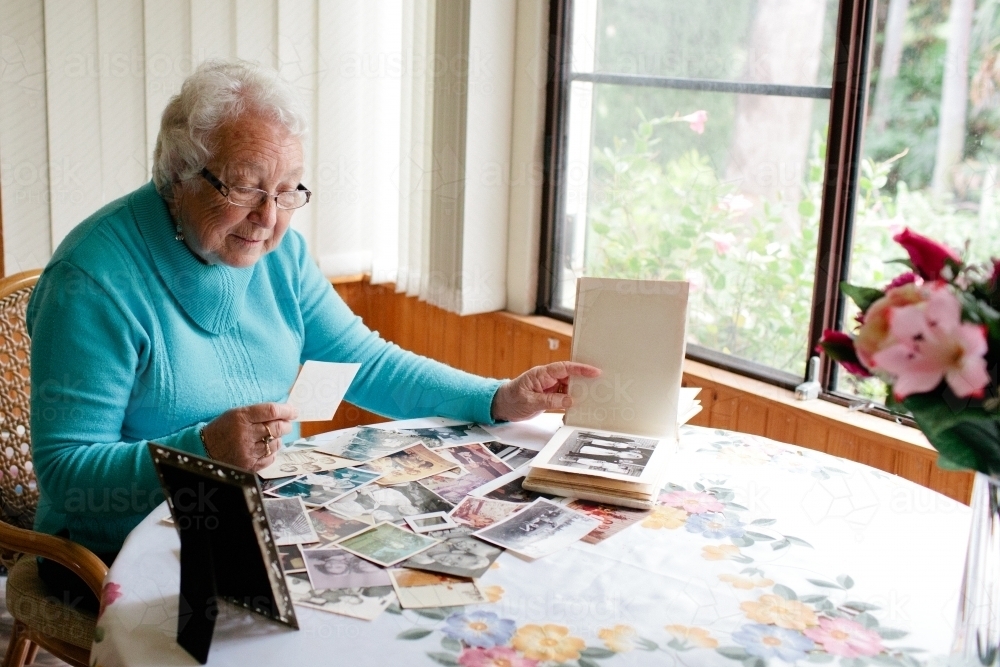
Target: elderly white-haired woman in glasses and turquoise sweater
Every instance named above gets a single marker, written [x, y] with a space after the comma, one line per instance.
[181, 312]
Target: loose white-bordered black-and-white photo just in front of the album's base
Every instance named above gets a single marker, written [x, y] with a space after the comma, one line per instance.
[540, 529]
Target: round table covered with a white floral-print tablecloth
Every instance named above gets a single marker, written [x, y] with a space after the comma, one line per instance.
[760, 553]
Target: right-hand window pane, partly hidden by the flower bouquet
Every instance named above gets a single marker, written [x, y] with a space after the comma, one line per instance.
[931, 141]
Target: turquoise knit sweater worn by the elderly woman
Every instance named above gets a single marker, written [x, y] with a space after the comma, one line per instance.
[133, 339]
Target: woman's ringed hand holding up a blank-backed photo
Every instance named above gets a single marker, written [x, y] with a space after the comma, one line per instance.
[248, 437]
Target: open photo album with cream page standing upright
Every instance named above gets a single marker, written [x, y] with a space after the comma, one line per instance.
[618, 436]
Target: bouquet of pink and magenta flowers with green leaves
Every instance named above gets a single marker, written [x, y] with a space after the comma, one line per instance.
[933, 336]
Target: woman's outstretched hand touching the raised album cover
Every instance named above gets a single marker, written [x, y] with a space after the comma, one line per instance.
[537, 390]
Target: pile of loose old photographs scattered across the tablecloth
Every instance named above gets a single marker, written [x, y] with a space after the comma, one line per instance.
[414, 513]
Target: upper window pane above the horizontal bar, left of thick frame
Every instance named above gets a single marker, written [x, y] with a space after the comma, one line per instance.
[717, 39]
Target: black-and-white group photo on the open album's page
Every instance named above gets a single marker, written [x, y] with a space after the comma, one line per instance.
[617, 456]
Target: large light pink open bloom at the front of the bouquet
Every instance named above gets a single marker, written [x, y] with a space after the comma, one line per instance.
[931, 343]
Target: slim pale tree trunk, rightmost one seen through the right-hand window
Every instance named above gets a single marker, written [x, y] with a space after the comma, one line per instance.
[954, 96]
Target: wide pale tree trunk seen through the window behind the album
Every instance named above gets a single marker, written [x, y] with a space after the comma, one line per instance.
[771, 134]
